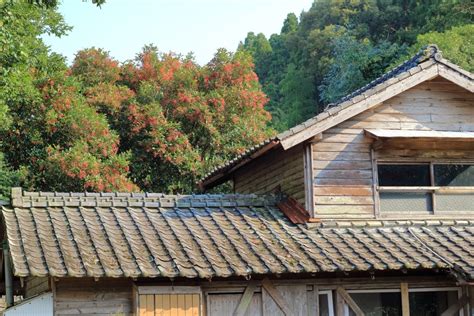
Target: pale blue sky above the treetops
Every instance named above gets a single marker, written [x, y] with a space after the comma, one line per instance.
[123, 26]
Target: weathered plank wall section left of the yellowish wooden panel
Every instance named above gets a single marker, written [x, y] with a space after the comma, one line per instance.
[85, 296]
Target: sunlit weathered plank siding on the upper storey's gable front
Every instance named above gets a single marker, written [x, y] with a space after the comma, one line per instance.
[342, 161]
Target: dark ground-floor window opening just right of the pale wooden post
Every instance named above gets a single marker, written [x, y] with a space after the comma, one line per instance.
[431, 303]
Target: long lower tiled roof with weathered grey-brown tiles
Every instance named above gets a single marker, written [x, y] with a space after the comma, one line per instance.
[205, 236]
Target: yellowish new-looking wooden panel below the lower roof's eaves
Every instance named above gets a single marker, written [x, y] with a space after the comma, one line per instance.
[167, 300]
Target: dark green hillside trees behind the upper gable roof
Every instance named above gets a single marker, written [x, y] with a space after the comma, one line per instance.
[338, 45]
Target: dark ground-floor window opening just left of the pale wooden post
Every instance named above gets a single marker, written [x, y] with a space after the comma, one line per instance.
[378, 304]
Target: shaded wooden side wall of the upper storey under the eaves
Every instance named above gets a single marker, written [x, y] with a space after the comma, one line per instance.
[284, 169]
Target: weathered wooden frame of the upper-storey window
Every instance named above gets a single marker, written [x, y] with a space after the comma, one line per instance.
[432, 189]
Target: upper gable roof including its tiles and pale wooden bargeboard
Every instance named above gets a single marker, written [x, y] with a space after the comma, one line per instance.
[425, 65]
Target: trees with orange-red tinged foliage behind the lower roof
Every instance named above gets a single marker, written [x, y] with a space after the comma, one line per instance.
[156, 123]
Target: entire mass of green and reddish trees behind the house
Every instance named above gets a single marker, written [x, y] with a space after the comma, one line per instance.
[160, 121]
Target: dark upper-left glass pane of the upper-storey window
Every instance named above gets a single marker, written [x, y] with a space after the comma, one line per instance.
[404, 175]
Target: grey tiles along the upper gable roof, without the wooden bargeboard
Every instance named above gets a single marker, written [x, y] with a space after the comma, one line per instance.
[425, 58]
